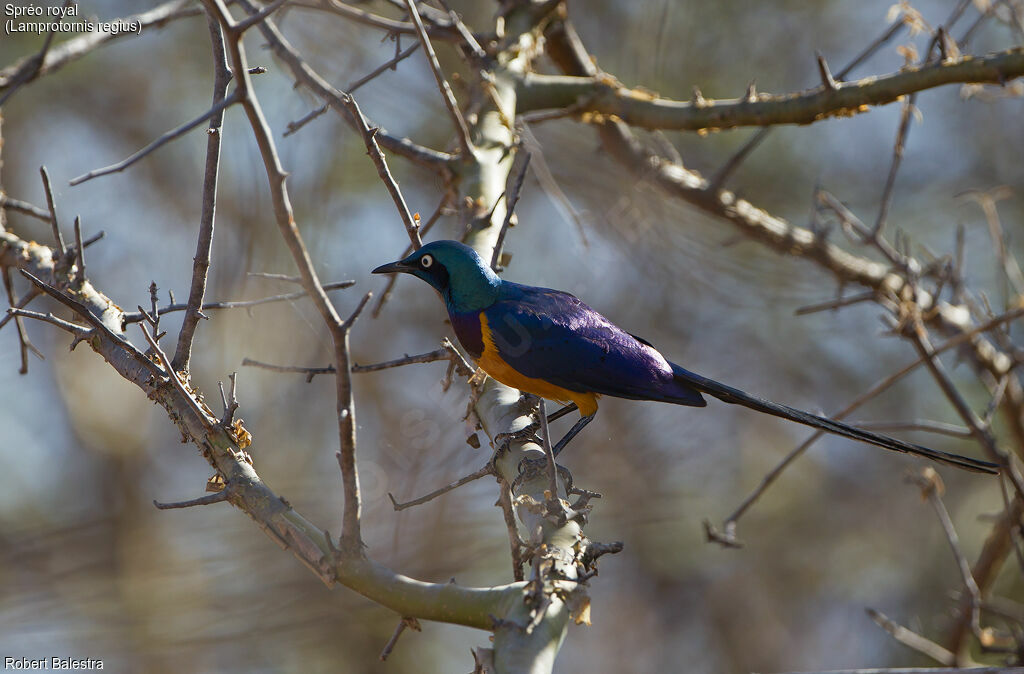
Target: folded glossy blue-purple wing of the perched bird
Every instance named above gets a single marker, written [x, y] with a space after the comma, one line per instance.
[551, 335]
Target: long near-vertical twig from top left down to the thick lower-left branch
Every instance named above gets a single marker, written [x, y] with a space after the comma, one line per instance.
[204, 243]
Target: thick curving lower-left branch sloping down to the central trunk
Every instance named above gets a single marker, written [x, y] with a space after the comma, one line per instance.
[441, 602]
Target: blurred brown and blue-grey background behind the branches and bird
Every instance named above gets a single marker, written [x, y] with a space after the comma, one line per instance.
[89, 568]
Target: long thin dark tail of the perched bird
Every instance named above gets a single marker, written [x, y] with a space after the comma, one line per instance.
[737, 397]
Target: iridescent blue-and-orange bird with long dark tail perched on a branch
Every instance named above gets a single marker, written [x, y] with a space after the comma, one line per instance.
[549, 344]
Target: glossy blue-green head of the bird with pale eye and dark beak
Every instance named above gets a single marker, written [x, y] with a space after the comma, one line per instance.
[466, 283]
